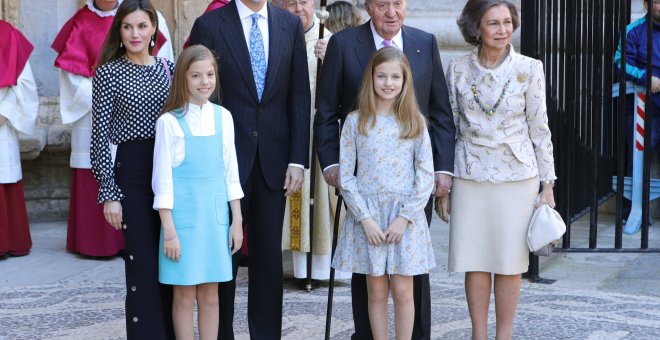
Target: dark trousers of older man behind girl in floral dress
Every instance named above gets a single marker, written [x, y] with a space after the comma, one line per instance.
[421, 295]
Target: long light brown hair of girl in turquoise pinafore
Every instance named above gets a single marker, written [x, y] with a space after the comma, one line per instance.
[179, 97]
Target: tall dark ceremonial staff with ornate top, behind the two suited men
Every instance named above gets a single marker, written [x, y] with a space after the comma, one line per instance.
[322, 14]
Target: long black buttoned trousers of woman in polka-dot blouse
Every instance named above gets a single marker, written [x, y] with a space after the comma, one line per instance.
[148, 303]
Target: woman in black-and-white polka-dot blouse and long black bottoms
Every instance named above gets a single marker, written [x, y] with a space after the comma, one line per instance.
[129, 89]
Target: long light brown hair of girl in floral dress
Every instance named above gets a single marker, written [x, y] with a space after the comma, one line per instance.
[407, 113]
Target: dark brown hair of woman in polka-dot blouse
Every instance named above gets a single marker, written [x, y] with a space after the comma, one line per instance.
[111, 47]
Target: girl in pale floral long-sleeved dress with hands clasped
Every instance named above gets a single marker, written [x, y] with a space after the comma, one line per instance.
[386, 179]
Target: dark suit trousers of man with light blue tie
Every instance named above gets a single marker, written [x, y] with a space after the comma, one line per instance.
[263, 212]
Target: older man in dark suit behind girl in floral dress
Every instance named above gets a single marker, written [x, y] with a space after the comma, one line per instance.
[346, 58]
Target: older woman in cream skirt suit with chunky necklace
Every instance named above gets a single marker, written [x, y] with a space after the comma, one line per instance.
[503, 157]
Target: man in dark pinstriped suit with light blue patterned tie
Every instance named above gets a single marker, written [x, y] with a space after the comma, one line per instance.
[262, 66]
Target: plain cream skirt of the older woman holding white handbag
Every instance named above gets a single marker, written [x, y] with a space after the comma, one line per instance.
[488, 225]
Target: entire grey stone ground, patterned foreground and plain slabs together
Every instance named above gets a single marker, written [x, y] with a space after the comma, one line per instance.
[51, 294]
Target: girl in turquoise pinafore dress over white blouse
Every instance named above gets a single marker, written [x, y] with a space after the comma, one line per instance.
[195, 175]
